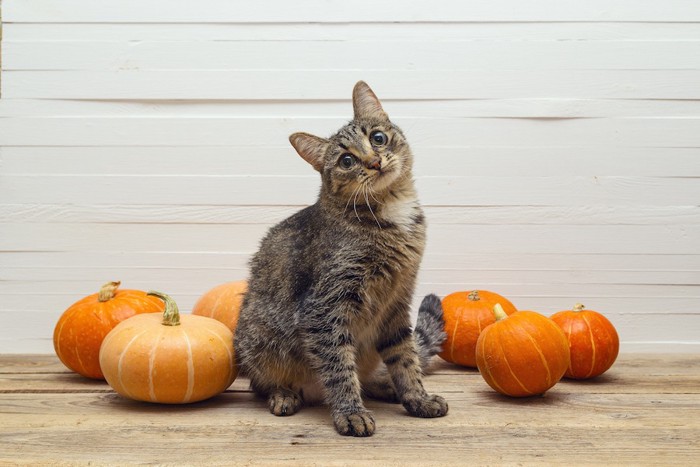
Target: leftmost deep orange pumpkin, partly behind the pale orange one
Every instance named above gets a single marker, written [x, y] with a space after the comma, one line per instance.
[83, 325]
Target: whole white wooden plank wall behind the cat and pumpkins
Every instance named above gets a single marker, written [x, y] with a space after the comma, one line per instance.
[557, 146]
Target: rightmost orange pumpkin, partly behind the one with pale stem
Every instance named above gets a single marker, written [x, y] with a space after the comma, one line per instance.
[593, 341]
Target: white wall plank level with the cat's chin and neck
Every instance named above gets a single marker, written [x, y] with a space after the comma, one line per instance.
[449, 190]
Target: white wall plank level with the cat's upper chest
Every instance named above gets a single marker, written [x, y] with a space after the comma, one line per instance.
[554, 239]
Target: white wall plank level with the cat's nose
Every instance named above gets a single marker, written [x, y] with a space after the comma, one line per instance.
[282, 160]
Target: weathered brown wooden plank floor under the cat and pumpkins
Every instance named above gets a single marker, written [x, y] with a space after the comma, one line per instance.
[645, 410]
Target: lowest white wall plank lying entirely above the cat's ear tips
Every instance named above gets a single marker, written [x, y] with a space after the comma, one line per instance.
[409, 54]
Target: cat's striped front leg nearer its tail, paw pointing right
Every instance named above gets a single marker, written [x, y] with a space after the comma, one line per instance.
[398, 350]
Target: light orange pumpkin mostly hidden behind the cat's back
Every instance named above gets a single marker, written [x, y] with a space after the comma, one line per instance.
[223, 303]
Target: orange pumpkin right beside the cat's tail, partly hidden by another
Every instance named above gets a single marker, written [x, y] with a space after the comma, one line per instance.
[466, 314]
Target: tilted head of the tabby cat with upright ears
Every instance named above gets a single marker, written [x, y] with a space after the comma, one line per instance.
[370, 153]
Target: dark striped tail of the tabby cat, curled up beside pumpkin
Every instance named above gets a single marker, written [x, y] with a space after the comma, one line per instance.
[430, 330]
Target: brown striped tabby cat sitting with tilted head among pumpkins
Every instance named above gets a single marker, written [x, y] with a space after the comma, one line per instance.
[330, 287]
